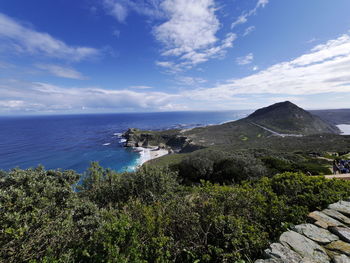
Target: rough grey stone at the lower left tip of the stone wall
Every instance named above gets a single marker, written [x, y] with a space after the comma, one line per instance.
[283, 253]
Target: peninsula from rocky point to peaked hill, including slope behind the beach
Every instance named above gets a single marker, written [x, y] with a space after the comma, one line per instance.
[281, 128]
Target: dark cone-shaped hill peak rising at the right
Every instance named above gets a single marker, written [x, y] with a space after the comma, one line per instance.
[288, 118]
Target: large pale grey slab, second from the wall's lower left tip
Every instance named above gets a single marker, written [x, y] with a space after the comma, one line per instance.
[305, 247]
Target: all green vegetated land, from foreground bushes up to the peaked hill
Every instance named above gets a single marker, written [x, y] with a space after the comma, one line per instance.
[228, 192]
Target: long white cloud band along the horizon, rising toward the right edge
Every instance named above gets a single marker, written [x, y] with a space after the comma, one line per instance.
[323, 72]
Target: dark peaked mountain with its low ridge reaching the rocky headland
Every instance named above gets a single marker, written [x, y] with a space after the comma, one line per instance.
[274, 126]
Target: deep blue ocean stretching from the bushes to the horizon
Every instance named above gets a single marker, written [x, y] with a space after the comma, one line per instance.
[73, 141]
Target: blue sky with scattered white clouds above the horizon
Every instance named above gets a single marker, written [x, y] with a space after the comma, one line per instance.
[99, 56]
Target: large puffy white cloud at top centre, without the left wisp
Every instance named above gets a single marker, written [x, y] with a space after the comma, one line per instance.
[190, 33]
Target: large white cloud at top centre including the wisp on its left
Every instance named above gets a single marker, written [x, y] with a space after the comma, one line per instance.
[188, 29]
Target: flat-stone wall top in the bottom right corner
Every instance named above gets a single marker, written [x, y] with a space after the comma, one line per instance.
[327, 239]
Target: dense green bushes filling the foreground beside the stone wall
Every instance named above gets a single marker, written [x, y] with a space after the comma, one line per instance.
[148, 216]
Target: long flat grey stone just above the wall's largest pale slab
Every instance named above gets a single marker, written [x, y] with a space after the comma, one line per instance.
[315, 233]
